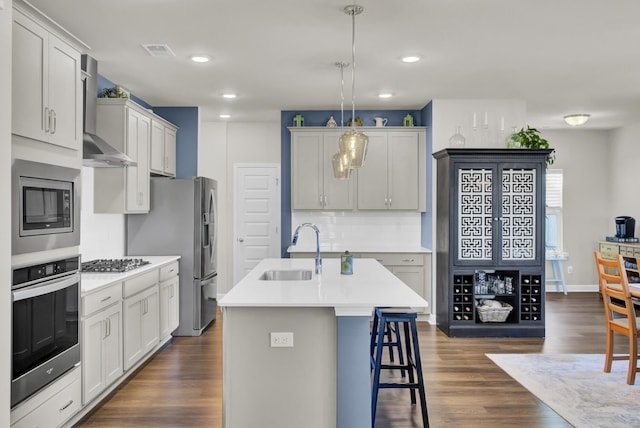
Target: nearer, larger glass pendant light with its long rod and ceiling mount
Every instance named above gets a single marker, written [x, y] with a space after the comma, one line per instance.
[354, 142]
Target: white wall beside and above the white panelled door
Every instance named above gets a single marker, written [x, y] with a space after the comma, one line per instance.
[220, 146]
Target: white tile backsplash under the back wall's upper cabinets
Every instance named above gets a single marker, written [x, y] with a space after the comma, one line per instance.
[361, 228]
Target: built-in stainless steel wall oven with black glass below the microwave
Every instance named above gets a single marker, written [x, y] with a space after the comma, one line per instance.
[45, 327]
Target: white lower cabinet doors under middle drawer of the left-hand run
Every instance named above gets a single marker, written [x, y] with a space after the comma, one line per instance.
[141, 334]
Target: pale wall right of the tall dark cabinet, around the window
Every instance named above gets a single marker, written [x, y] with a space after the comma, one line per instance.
[585, 159]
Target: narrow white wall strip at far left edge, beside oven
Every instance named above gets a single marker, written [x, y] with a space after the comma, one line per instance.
[5, 214]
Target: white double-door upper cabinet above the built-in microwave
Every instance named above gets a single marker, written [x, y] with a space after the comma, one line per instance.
[47, 85]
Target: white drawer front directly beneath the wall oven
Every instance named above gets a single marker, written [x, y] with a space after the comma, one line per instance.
[51, 407]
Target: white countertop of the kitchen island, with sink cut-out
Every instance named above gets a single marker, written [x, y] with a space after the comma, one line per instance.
[370, 285]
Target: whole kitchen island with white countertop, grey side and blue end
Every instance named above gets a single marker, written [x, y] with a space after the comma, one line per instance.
[323, 379]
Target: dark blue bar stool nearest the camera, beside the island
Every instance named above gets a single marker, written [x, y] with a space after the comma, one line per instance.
[407, 318]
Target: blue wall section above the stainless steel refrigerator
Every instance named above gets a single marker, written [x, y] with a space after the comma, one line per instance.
[186, 119]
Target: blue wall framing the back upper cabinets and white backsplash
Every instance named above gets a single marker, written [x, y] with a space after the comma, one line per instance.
[320, 118]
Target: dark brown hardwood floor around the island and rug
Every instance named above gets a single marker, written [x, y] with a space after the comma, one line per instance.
[182, 385]
